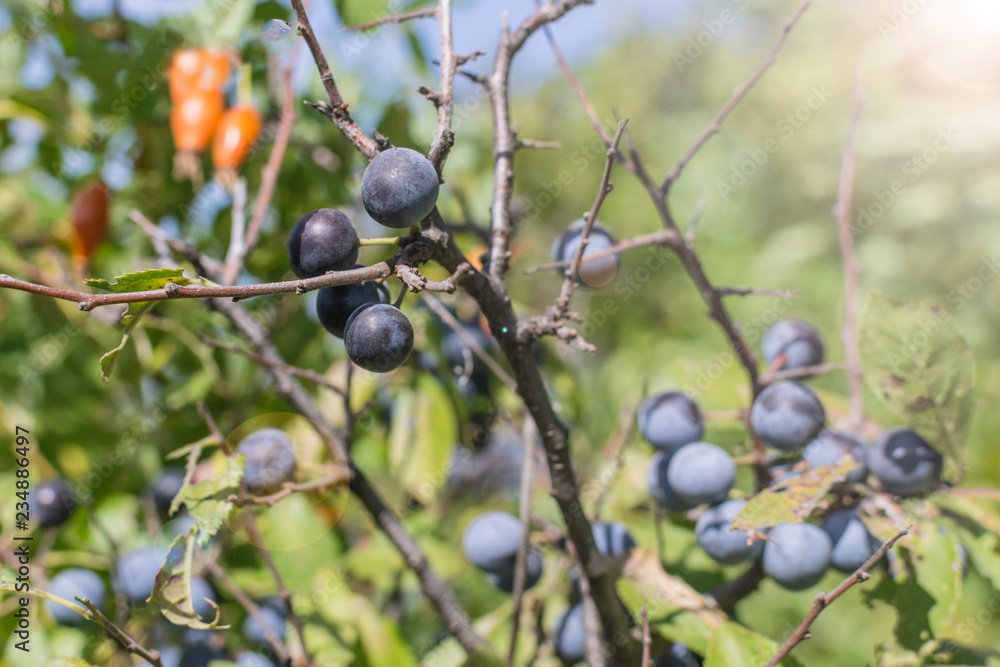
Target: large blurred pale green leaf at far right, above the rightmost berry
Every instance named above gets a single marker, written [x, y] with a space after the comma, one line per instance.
[919, 363]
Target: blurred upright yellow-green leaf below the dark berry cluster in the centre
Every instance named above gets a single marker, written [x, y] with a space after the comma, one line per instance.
[424, 432]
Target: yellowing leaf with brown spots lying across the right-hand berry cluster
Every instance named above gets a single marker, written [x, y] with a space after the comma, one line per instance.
[792, 501]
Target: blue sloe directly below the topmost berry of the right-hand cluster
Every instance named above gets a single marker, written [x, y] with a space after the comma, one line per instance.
[787, 416]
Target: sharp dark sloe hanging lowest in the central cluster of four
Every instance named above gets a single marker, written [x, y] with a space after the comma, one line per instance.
[378, 337]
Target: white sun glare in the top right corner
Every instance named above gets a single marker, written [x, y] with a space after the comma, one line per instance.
[958, 40]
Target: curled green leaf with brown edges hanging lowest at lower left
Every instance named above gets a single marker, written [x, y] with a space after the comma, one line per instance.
[172, 587]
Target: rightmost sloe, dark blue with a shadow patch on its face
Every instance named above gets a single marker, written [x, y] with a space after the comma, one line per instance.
[905, 463]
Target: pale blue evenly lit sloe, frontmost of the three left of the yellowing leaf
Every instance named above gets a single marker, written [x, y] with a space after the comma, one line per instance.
[701, 473]
